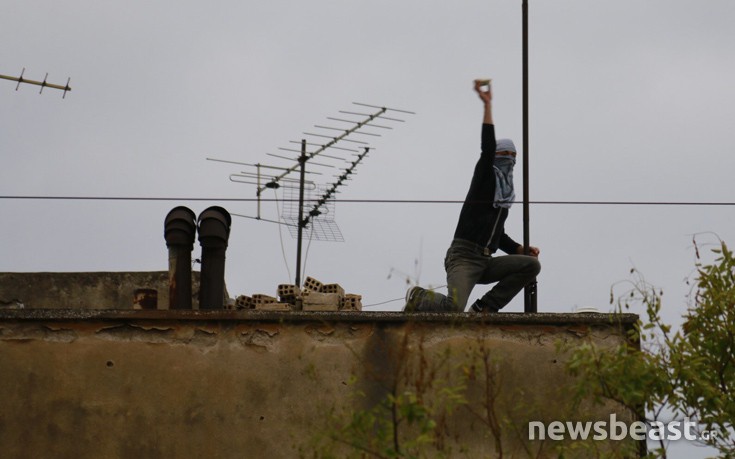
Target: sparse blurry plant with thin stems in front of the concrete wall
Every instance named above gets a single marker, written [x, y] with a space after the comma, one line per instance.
[413, 417]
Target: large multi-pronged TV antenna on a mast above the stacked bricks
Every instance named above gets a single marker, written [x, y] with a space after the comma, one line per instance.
[315, 208]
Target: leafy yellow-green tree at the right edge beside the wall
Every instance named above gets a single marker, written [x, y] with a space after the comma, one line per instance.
[690, 372]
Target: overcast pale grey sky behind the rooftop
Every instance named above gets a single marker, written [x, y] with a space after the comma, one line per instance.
[630, 101]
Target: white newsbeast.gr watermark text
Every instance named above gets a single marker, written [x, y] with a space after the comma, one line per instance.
[613, 429]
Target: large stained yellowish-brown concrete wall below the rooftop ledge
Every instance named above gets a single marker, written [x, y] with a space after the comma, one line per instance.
[228, 384]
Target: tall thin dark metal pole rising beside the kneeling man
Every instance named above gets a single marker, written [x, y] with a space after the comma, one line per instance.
[530, 293]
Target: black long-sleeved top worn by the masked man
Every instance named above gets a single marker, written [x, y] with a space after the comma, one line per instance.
[479, 221]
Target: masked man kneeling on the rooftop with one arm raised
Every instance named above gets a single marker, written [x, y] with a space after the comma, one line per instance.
[480, 232]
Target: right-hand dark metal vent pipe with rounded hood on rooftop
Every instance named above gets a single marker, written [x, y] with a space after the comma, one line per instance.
[214, 232]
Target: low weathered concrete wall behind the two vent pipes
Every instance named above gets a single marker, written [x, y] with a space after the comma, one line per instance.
[91, 290]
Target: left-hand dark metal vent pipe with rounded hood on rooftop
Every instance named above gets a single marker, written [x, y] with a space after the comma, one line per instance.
[179, 232]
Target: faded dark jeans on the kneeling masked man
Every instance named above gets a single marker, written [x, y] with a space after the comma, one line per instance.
[467, 265]
